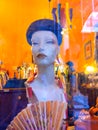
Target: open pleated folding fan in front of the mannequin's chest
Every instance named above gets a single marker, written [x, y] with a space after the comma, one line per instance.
[39, 116]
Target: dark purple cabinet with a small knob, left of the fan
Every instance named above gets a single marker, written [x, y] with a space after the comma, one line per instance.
[12, 101]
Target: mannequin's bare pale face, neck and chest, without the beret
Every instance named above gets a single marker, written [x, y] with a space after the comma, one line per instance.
[45, 48]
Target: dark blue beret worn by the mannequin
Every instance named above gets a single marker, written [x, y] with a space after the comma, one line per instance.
[47, 25]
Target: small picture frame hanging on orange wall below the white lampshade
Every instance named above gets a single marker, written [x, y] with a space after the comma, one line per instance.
[88, 50]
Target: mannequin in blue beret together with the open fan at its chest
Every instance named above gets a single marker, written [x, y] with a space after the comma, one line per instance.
[45, 37]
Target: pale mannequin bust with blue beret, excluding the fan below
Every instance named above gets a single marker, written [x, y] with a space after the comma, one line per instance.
[45, 37]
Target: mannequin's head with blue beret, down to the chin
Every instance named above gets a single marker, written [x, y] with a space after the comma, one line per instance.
[45, 37]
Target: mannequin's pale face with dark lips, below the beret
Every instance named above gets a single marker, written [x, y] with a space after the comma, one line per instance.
[44, 47]
